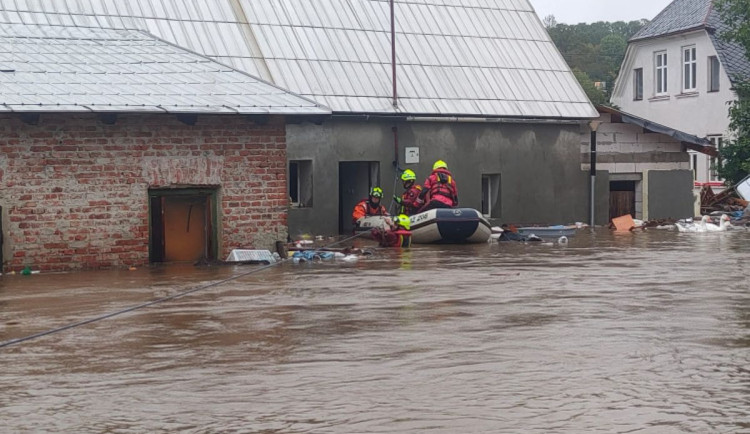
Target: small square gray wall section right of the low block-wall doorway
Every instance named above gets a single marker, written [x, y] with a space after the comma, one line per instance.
[670, 194]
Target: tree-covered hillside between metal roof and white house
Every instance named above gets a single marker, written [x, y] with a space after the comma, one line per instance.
[595, 50]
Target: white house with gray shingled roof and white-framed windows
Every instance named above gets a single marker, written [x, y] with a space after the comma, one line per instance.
[678, 72]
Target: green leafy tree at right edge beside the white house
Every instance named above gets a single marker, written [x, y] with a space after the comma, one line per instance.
[735, 154]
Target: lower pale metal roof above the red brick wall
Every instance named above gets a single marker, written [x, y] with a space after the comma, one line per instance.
[53, 68]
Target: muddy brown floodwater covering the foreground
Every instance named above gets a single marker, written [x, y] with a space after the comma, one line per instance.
[646, 332]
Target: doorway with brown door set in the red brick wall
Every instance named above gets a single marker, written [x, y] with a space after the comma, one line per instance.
[183, 225]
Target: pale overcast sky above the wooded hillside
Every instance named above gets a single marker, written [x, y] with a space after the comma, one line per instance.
[589, 11]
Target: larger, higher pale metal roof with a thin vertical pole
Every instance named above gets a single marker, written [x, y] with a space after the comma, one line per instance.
[455, 57]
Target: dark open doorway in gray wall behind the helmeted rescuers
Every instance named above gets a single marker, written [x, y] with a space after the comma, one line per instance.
[355, 180]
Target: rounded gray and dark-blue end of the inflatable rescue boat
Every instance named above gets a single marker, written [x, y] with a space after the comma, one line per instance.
[450, 226]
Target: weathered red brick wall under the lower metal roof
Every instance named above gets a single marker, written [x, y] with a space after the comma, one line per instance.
[74, 190]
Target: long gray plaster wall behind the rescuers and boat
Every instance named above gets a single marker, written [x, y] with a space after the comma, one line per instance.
[539, 164]
